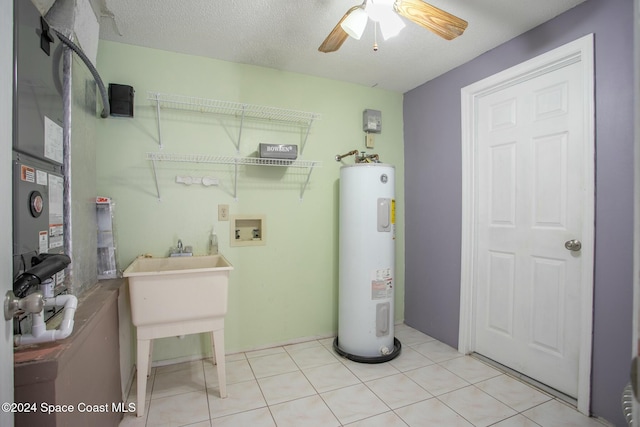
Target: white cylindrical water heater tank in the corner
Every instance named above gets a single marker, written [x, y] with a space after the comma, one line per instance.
[367, 263]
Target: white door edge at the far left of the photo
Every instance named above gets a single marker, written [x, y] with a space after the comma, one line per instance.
[6, 107]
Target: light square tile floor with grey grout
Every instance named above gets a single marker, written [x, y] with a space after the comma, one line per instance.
[308, 384]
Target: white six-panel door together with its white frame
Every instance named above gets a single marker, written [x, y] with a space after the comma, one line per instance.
[527, 269]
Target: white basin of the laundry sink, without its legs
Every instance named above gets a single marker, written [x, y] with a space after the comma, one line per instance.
[175, 289]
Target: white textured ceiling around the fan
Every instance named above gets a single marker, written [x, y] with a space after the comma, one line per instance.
[285, 35]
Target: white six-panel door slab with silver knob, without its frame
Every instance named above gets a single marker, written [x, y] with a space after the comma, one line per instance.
[530, 203]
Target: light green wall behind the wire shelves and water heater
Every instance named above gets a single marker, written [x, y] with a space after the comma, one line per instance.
[287, 289]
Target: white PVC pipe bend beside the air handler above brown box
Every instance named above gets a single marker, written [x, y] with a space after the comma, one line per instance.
[39, 332]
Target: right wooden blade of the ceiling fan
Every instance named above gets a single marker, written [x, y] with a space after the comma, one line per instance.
[430, 17]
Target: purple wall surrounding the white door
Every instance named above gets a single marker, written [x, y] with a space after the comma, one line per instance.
[433, 188]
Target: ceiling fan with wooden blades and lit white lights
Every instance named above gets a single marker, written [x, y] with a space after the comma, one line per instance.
[382, 13]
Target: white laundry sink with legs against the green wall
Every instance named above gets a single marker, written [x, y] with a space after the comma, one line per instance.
[177, 296]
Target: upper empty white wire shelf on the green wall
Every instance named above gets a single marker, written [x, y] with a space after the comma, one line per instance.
[203, 105]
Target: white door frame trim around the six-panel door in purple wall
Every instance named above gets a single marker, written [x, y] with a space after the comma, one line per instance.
[578, 51]
